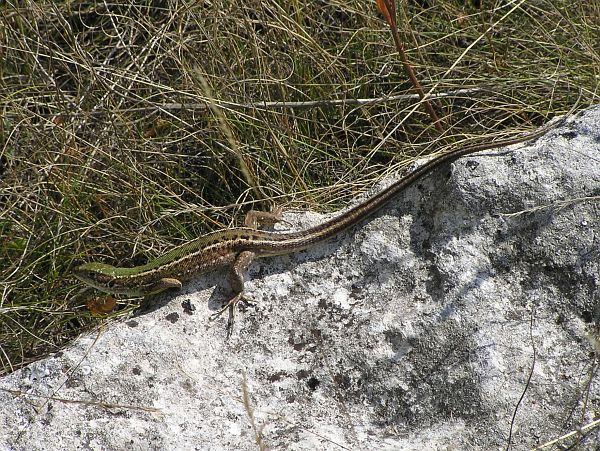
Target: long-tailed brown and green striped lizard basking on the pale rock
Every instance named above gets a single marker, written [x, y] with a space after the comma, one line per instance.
[237, 247]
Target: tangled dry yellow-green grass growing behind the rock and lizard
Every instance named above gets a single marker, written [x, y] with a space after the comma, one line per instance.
[131, 127]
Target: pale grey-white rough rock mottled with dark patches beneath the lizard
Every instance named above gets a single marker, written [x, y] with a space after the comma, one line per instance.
[462, 315]
